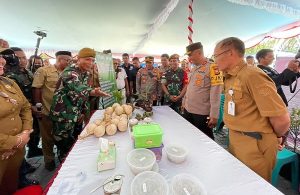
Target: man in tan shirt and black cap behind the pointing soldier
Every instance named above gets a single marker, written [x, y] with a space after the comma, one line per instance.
[44, 85]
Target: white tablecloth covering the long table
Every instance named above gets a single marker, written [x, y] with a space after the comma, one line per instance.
[217, 169]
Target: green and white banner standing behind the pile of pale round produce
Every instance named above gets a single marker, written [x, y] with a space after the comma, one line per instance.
[107, 78]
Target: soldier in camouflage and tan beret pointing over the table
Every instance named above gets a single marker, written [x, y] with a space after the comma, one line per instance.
[71, 101]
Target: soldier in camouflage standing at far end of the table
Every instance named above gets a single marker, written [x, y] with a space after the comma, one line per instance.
[174, 83]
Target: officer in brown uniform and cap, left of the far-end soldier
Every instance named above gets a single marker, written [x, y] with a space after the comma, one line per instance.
[148, 84]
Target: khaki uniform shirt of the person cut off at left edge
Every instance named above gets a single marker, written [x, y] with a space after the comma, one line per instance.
[15, 113]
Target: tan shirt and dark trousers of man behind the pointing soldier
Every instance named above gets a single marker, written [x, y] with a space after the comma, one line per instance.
[45, 78]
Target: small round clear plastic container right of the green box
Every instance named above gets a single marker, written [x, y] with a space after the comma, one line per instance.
[176, 153]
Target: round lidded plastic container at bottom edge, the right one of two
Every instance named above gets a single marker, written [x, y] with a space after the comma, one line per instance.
[185, 184]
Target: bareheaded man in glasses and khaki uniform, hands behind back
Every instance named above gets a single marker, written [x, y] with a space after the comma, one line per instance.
[253, 111]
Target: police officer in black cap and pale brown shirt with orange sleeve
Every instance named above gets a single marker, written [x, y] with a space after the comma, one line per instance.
[202, 99]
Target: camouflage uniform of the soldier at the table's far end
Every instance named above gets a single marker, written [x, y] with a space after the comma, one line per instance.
[174, 81]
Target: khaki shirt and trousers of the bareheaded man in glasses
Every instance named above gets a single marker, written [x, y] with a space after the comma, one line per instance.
[251, 136]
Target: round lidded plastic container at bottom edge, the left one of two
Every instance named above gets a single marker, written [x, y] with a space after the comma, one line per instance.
[149, 183]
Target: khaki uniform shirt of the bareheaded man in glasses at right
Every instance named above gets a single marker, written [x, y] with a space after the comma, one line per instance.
[255, 98]
